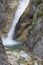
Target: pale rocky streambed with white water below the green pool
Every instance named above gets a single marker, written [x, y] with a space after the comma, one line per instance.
[20, 57]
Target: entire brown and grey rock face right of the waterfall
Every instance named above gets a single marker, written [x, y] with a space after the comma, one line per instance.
[30, 27]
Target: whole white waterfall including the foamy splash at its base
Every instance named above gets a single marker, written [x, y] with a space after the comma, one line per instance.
[21, 8]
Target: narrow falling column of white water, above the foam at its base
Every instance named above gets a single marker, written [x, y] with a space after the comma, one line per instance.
[22, 5]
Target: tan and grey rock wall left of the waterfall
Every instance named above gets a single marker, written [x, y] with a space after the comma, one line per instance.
[7, 11]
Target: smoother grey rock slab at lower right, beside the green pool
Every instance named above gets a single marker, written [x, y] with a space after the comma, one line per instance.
[35, 38]
